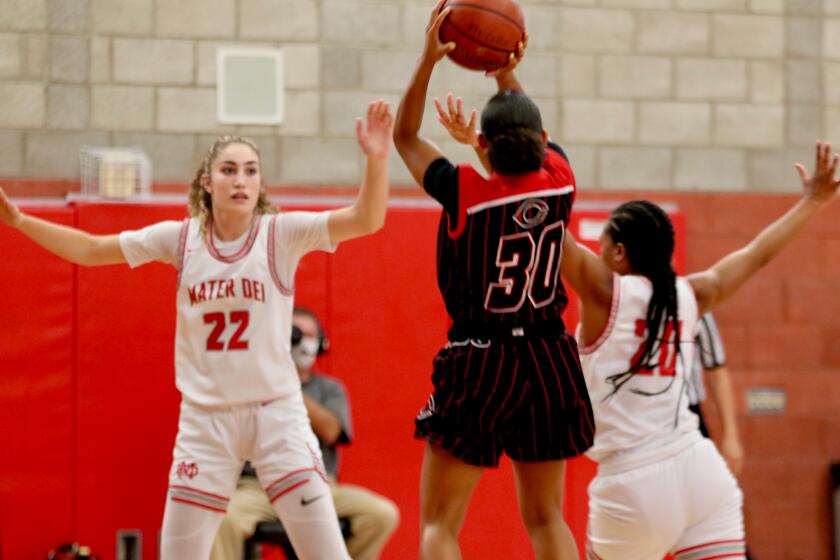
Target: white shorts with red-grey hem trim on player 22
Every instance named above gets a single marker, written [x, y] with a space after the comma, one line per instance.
[213, 444]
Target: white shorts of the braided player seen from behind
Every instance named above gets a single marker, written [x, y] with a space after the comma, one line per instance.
[688, 505]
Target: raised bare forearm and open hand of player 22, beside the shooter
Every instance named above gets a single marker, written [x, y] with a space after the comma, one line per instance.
[367, 214]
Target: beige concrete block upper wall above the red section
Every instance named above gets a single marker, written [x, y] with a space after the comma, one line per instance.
[660, 94]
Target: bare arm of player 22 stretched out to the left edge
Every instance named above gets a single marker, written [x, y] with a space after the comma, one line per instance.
[76, 246]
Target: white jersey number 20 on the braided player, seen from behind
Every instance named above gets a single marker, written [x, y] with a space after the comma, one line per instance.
[650, 410]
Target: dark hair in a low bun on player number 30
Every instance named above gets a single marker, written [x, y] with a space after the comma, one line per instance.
[512, 125]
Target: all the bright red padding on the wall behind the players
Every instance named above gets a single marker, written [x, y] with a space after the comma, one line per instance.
[90, 440]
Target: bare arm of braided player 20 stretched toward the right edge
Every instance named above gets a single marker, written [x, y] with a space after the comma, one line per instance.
[723, 279]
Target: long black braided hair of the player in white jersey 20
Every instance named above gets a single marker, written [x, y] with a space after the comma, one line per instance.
[648, 238]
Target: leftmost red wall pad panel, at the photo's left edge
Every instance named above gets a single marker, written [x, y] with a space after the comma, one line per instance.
[37, 390]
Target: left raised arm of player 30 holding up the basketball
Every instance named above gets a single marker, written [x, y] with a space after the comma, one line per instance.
[418, 153]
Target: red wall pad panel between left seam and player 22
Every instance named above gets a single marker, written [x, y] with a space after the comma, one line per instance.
[128, 404]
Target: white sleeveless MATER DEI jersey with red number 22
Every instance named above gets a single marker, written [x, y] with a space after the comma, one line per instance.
[233, 334]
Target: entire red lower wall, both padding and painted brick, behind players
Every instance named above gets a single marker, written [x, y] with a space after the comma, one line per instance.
[88, 406]
